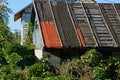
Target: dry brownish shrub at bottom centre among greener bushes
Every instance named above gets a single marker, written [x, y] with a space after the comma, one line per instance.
[75, 70]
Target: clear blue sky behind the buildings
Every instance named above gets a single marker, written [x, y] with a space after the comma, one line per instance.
[17, 5]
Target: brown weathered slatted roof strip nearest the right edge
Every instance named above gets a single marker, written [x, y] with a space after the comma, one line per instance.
[112, 18]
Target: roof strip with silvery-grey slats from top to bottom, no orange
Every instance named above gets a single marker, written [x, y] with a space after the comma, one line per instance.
[99, 27]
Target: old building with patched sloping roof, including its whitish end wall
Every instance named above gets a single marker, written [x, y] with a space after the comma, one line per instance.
[65, 30]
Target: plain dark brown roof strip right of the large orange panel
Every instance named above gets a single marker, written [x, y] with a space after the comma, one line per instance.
[65, 26]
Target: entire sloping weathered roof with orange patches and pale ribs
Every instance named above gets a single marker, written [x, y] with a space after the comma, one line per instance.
[74, 25]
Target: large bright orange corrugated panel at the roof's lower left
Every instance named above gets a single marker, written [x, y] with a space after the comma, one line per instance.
[50, 35]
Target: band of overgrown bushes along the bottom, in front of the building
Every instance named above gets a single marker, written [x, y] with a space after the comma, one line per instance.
[90, 66]
